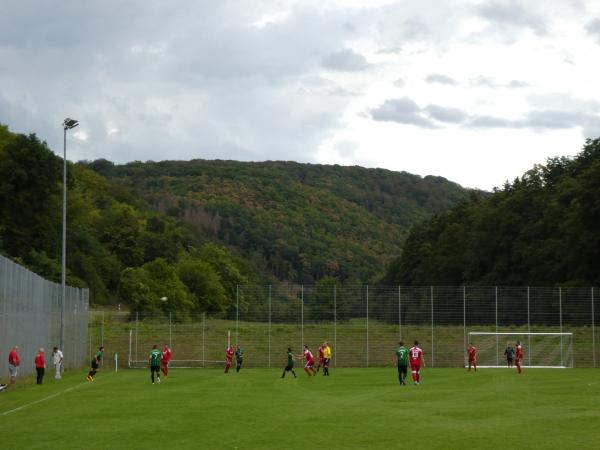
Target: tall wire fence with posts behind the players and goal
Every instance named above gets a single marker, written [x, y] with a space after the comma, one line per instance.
[362, 324]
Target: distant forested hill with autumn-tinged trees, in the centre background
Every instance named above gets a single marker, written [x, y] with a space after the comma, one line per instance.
[306, 221]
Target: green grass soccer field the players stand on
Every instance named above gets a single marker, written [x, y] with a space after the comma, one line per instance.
[354, 408]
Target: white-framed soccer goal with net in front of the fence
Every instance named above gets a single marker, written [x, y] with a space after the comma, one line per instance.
[541, 350]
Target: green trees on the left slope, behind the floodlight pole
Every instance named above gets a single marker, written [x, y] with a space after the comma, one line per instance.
[117, 244]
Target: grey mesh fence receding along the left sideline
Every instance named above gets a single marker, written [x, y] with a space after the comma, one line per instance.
[30, 317]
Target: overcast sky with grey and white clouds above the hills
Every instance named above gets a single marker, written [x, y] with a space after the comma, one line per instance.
[475, 91]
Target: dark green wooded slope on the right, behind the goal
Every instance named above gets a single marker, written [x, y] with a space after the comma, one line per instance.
[542, 229]
